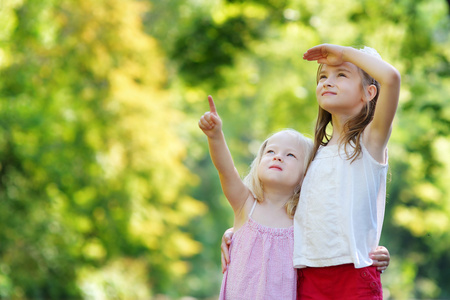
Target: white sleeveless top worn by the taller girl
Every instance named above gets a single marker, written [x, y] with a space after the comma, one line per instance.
[341, 209]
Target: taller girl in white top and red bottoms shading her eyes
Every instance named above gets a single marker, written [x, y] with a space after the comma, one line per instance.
[343, 194]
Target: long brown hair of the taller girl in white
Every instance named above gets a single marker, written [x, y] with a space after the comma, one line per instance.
[353, 128]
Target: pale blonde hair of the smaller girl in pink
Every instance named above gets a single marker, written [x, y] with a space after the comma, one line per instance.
[253, 182]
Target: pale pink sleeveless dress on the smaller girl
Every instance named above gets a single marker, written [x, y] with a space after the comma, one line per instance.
[261, 265]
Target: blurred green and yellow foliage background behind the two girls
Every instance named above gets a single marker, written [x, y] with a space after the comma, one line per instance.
[106, 186]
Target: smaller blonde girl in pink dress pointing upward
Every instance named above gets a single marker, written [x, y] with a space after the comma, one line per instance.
[264, 204]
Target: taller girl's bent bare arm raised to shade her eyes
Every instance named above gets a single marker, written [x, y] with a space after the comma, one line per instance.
[379, 130]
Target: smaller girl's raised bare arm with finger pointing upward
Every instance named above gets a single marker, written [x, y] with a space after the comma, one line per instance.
[233, 187]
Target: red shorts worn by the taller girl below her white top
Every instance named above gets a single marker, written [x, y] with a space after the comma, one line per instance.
[339, 282]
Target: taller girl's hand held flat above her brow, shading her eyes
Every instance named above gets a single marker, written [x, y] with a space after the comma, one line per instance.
[325, 54]
